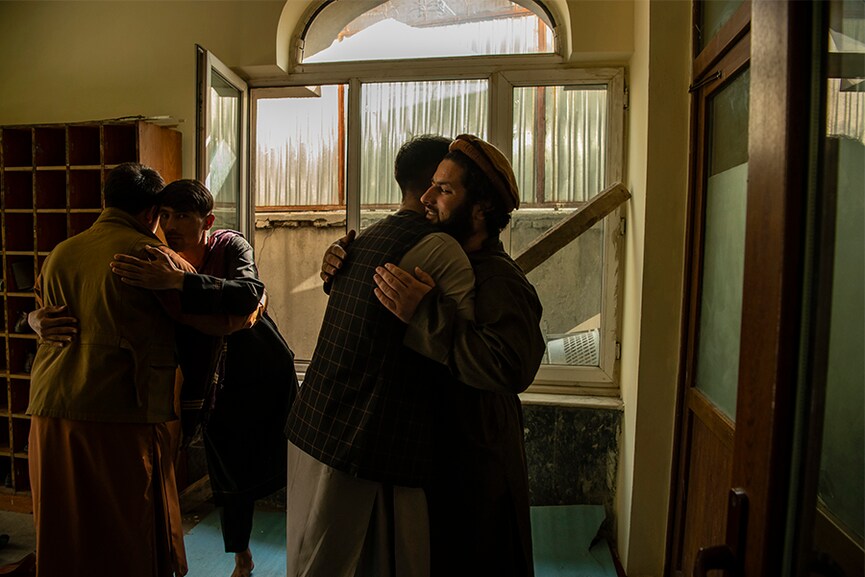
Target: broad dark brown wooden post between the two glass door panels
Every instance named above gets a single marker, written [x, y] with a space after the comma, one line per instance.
[780, 164]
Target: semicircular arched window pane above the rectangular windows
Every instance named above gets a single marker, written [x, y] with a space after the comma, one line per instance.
[396, 29]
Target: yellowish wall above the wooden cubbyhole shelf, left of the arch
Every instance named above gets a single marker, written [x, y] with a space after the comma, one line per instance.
[74, 61]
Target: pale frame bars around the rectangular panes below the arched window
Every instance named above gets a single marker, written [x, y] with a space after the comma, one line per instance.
[503, 73]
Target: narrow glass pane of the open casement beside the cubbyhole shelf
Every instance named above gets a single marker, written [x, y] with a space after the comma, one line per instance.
[224, 151]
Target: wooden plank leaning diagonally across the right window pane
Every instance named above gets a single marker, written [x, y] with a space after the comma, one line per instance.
[572, 227]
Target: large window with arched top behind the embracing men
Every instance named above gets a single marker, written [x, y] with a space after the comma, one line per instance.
[325, 151]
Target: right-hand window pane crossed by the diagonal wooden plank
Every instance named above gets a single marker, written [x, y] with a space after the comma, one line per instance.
[559, 158]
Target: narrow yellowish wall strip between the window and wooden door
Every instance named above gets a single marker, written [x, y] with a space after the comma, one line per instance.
[658, 157]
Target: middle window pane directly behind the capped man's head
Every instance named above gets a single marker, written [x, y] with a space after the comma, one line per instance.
[393, 112]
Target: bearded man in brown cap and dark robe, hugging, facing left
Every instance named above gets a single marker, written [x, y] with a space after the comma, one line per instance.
[478, 497]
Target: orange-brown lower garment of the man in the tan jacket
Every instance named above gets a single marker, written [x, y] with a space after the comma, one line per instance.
[105, 499]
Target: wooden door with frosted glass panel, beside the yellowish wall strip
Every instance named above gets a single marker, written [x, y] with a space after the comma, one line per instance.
[716, 237]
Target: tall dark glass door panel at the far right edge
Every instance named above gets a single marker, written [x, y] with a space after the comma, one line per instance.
[841, 494]
